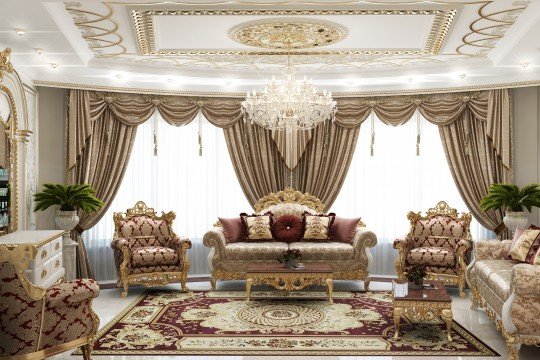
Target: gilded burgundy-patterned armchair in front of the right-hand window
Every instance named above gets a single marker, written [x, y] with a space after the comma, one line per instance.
[440, 241]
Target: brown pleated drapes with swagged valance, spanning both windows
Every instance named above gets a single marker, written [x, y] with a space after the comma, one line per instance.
[475, 129]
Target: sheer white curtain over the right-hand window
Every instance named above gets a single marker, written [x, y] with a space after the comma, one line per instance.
[382, 188]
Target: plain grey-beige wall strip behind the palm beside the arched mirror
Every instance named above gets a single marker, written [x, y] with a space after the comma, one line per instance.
[51, 109]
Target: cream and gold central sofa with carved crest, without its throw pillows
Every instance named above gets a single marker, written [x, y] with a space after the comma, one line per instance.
[349, 261]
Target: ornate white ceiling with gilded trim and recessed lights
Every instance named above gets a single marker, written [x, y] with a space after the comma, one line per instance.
[345, 45]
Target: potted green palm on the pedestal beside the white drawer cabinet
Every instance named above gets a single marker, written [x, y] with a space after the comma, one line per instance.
[67, 198]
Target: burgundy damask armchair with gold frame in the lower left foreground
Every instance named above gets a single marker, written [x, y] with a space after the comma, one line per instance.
[36, 323]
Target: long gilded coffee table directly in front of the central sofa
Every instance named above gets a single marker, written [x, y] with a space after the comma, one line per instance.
[282, 277]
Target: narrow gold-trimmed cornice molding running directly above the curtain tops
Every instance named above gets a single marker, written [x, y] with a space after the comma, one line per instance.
[242, 95]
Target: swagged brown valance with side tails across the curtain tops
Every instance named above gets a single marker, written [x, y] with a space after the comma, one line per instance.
[439, 109]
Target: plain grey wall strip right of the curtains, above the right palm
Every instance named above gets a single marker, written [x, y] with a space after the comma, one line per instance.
[526, 111]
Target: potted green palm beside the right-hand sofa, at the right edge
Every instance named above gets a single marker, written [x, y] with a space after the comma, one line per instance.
[512, 200]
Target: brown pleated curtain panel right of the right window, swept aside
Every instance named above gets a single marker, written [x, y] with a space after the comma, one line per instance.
[477, 146]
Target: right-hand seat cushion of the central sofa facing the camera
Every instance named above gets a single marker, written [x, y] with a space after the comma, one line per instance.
[324, 250]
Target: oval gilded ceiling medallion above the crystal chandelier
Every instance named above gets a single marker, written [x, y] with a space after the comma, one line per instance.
[288, 33]
